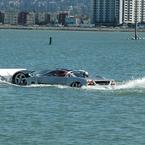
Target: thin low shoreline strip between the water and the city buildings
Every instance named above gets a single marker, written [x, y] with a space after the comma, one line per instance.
[96, 29]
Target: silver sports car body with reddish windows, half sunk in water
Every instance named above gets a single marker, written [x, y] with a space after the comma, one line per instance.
[59, 76]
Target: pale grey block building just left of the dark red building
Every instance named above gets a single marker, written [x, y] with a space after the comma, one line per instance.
[11, 18]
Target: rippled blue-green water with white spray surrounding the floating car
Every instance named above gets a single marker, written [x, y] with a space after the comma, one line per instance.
[59, 115]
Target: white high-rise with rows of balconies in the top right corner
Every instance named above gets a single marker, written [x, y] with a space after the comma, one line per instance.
[134, 10]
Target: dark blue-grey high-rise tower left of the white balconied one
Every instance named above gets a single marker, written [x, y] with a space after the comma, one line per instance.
[107, 12]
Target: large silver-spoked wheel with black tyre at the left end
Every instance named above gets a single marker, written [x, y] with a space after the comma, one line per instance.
[19, 79]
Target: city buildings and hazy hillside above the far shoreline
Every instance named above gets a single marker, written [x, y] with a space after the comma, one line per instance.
[92, 13]
